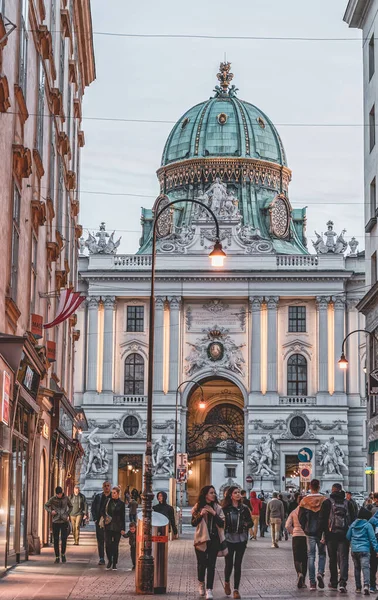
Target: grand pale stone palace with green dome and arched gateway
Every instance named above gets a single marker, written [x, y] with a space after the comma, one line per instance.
[262, 335]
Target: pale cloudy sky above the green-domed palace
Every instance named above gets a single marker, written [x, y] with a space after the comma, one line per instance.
[312, 91]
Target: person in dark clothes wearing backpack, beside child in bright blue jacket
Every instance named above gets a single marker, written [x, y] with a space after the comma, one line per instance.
[335, 517]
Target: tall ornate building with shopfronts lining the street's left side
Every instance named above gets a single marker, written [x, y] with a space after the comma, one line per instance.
[46, 62]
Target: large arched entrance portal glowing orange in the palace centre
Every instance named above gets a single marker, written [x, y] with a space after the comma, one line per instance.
[215, 436]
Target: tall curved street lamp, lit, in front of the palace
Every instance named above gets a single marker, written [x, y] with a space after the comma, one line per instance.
[145, 572]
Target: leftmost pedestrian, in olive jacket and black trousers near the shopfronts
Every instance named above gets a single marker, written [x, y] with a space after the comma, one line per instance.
[59, 506]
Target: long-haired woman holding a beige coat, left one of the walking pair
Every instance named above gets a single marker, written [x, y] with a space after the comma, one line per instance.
[209, 540]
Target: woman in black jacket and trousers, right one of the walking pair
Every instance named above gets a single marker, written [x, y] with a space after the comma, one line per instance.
[238, 521]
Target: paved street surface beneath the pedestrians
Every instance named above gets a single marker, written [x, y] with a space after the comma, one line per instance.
[267, 573]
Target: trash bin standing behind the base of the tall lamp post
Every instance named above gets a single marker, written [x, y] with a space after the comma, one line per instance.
[160, 527]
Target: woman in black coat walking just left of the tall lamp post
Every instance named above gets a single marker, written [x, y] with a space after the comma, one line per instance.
[114, 522]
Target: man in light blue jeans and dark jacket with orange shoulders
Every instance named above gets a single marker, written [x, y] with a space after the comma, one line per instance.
[309, 519]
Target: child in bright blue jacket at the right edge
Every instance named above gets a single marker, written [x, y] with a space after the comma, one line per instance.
[362, 537]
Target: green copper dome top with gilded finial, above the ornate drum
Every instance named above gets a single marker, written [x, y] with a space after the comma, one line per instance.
[224, 126]
